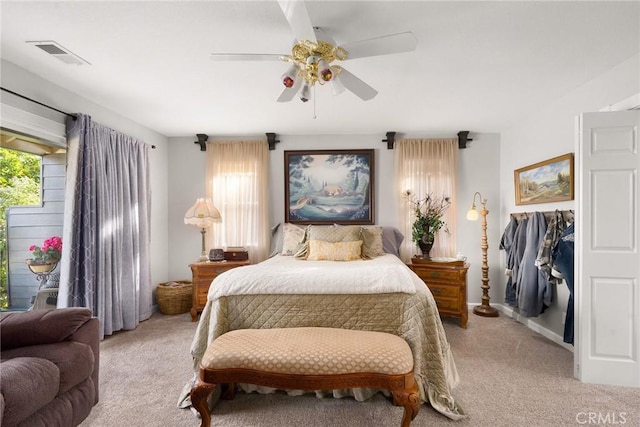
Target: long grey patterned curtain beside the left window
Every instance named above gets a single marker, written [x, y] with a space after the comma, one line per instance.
[105, 261]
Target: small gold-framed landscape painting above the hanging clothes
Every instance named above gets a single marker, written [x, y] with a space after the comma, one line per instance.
[545, 182]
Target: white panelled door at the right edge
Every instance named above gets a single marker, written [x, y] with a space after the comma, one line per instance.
[607, 265]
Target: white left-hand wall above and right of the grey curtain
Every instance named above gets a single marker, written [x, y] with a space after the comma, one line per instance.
[25, 83]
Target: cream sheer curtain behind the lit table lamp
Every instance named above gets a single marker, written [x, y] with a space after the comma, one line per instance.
[238, 185]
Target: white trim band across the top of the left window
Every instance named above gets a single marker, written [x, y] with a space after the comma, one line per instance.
[18, 120]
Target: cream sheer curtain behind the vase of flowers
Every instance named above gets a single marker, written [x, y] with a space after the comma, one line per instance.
[426, 166]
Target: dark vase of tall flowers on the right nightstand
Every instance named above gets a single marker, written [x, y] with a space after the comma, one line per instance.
[429, 212]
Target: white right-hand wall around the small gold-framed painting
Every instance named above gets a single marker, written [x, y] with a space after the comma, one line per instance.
[549, 133]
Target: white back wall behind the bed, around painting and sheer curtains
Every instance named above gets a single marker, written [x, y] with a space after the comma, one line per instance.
[478, 171]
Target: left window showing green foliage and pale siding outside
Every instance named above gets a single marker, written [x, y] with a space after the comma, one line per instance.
[31, 209]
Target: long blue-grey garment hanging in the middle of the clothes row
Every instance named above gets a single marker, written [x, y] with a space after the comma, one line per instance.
[533, 290]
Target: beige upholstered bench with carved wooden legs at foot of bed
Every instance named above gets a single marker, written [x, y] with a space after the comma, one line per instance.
[308, 359]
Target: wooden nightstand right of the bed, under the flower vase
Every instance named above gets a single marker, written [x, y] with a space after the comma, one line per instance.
[448, 284]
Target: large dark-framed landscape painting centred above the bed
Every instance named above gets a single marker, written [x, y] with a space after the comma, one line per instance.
[329, 186]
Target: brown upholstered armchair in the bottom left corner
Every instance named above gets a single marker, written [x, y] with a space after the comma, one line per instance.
[49, 367]
